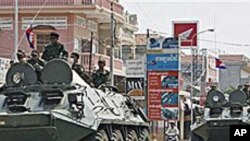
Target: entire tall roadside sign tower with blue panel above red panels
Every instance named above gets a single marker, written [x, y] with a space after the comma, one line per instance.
[163, 79]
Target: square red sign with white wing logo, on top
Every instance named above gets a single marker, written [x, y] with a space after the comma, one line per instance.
[187, 31]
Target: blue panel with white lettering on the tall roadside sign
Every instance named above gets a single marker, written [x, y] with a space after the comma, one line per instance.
[160, 62]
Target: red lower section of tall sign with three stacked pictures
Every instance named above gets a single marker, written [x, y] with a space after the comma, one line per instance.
[163, 95]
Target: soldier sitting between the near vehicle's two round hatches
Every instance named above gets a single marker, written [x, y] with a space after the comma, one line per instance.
[36, 62]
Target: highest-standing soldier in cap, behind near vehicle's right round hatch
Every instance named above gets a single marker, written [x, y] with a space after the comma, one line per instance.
[54, 49]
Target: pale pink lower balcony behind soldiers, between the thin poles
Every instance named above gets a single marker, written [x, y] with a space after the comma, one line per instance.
[118, 63]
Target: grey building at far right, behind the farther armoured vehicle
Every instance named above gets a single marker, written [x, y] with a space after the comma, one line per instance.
[237, 71]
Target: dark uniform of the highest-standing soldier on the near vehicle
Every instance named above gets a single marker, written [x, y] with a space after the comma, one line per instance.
[53, 51]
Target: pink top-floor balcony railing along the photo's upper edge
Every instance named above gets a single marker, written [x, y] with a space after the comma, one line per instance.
[29, 3]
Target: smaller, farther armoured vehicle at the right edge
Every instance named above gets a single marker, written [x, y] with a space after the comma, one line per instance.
[219, 114]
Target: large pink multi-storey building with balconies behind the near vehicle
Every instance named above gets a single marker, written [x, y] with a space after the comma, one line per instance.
[74, 20]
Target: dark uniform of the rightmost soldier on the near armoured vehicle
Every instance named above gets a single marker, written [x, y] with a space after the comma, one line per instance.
[100, 77]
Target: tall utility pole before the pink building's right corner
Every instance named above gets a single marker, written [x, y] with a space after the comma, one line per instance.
[112, 46]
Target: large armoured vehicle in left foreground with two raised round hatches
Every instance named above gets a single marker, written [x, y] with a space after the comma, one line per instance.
[60, 106]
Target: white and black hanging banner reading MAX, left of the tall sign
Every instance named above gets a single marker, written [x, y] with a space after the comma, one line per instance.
[135, 78]
